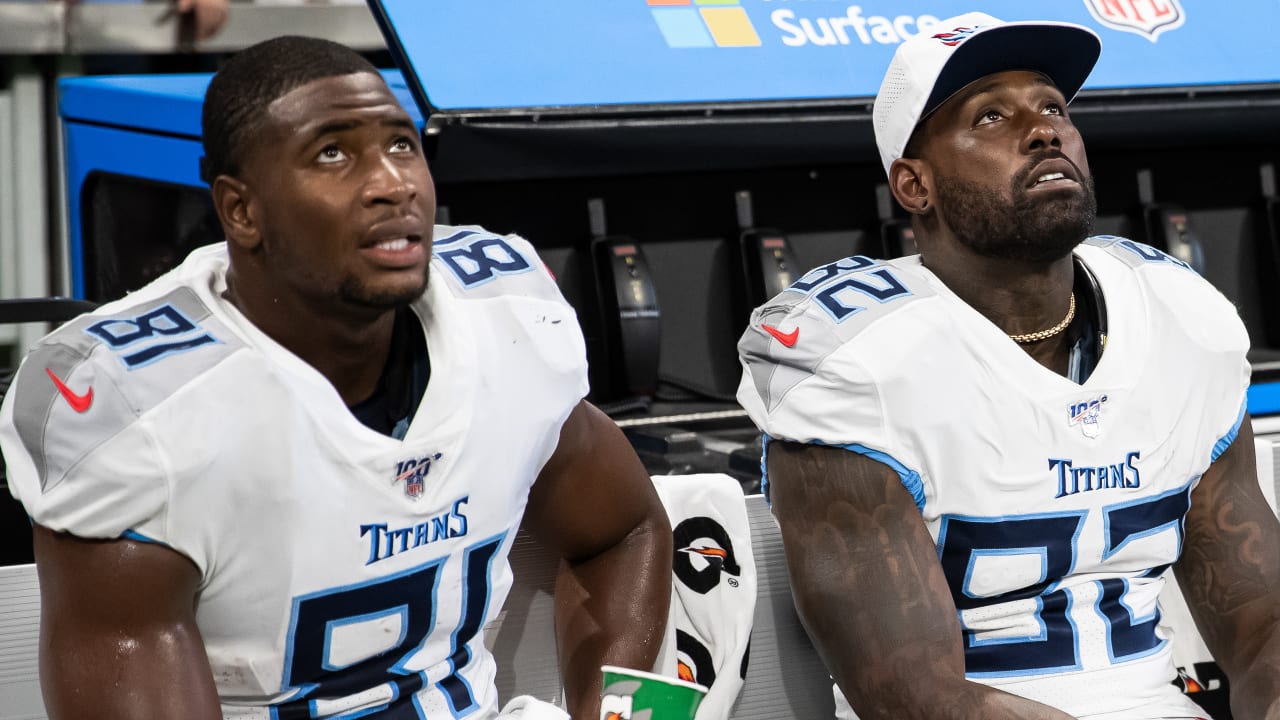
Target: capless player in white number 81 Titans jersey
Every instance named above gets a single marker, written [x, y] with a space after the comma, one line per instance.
[282, 481]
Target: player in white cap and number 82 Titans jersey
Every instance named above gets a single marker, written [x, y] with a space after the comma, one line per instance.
[985, 457]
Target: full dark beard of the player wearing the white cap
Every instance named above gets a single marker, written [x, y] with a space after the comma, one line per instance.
[1020, 227]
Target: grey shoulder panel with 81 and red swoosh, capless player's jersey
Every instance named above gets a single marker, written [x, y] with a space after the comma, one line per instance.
[95, 376]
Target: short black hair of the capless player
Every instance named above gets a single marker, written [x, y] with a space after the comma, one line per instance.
[252, 80]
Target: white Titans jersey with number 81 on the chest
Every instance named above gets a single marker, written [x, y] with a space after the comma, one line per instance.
[344, 572]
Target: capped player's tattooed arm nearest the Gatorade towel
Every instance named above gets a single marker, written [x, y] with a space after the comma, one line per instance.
[871, 593]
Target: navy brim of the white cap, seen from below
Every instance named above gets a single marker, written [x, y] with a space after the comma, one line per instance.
[1064, 54]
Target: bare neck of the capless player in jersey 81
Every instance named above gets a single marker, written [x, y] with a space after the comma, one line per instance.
[349, 349]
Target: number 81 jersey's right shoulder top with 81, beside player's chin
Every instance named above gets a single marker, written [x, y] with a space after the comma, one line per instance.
[481, 265]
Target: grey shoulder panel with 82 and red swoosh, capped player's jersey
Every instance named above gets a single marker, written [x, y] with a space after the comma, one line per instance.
[835, 306]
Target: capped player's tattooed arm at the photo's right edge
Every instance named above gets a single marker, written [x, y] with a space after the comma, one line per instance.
[1231, 576]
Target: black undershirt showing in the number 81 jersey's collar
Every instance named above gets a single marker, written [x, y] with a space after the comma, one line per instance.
[400, 390]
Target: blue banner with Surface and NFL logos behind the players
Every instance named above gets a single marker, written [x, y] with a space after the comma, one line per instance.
[483, 54]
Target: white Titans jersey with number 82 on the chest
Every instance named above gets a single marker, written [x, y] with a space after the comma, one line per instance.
[1055, 507]
